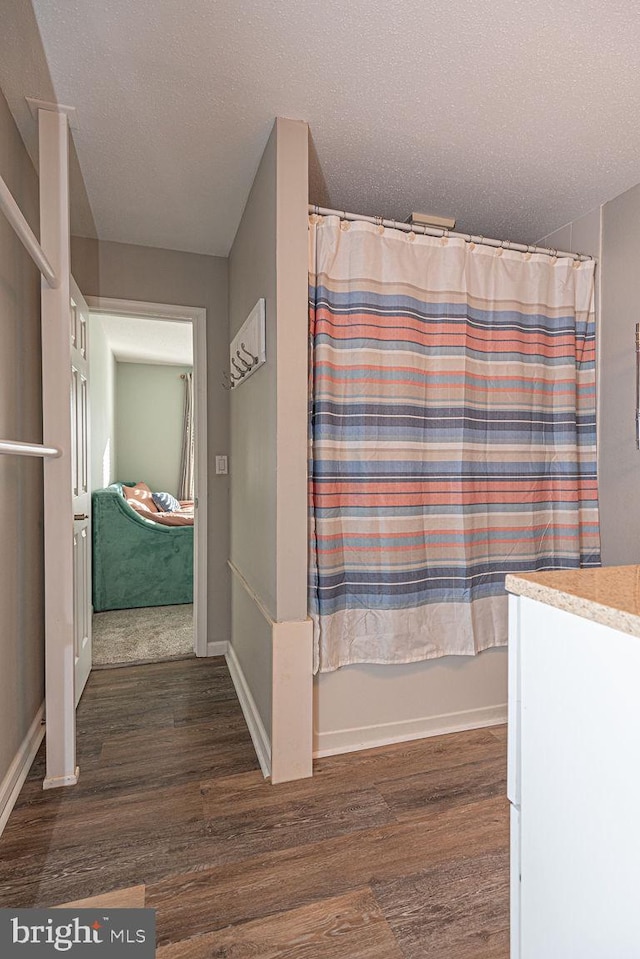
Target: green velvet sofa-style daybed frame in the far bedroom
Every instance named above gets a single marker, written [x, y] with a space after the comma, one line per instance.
[137, 562]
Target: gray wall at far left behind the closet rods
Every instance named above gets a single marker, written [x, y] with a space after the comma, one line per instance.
[21, 502]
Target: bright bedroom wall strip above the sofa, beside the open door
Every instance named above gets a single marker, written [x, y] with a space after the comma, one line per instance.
[102, 406]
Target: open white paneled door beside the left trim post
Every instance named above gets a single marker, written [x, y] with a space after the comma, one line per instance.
[80, 488]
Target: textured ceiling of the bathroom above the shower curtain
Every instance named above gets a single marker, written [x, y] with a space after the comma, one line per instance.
[515, 117]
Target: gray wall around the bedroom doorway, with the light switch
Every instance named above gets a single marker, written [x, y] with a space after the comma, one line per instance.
[124, 271]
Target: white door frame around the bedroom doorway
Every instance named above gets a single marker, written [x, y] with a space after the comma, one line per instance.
[197, 316]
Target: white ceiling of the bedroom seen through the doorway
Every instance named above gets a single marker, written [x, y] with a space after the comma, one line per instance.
[135, 340]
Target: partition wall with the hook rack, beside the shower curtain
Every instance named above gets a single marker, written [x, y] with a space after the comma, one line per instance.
[268, 444]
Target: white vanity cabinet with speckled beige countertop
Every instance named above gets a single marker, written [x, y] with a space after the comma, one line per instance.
[574, 774]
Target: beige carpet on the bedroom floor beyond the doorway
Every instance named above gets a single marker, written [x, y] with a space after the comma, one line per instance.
[146, 635]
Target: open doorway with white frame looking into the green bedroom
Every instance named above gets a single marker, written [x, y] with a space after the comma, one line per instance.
[145, 358]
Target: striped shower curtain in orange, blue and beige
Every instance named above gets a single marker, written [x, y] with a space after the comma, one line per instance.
[452, 437]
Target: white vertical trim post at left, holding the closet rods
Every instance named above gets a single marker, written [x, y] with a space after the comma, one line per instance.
[56, 426]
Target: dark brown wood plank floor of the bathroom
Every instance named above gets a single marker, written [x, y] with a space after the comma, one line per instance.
[393, 853]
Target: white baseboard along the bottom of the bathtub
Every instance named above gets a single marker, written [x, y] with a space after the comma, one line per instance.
[366, 737]
